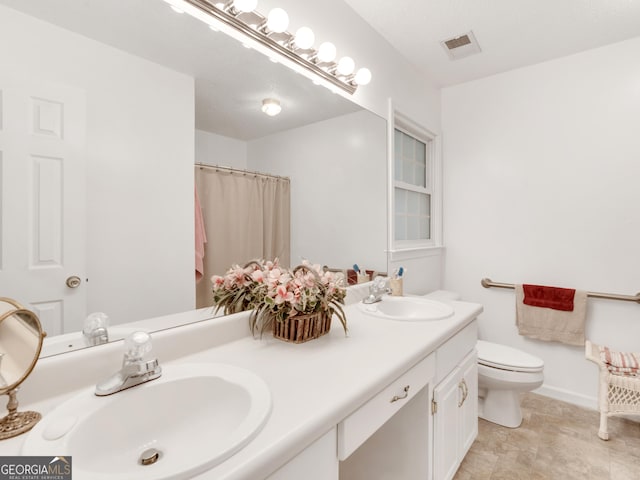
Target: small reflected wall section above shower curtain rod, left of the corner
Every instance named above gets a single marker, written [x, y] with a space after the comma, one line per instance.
[214, 149]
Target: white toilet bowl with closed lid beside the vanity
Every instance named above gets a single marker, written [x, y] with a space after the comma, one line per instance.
[503, 373]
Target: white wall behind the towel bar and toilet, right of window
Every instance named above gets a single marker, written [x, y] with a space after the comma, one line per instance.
[541, 186]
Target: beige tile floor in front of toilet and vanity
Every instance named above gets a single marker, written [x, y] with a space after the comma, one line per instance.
[556, 441]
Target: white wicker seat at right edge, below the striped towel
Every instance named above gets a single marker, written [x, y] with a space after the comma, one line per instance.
[616, 393]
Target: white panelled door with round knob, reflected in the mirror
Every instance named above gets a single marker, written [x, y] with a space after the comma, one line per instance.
[43, 200]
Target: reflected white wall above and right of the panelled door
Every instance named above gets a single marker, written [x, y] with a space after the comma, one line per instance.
[140, 124]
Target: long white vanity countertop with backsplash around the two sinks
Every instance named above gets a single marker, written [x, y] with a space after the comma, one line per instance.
[314, 385]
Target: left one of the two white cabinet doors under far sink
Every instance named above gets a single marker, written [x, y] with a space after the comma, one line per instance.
[446, 423]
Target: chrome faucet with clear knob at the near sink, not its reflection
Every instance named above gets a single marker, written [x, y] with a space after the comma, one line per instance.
[135, 369]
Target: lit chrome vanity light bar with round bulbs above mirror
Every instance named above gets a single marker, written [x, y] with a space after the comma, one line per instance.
[269, 34]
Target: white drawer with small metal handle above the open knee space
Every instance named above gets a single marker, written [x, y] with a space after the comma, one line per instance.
[361, 424]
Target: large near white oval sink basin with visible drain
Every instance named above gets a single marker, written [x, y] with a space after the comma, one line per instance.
[195, 415]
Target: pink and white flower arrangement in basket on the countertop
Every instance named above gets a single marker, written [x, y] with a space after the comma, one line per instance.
[278, 295]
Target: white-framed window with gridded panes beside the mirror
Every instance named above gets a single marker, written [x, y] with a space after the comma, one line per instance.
[412, 188]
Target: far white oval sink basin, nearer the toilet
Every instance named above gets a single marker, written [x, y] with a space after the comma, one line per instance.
[410, 309]
